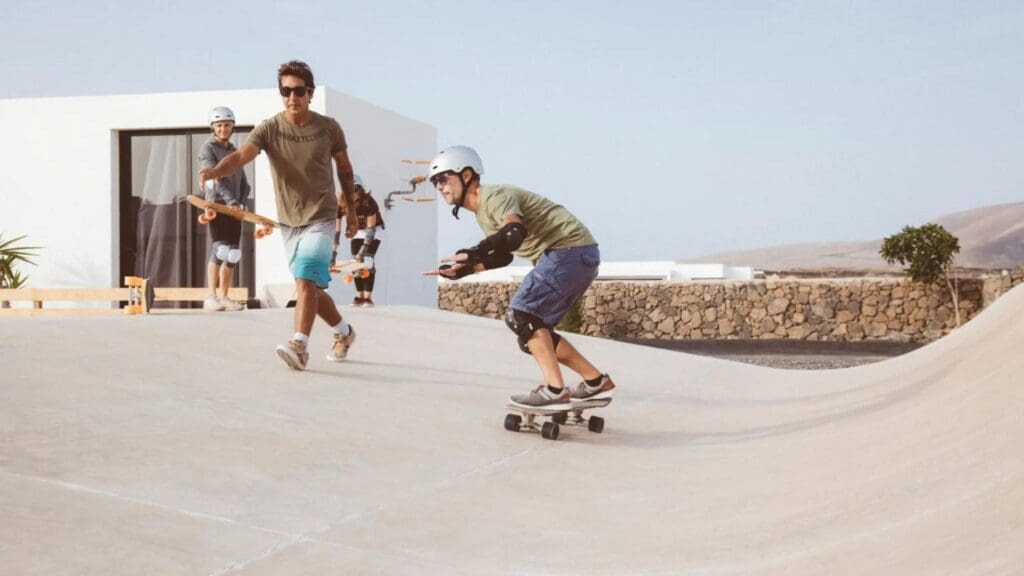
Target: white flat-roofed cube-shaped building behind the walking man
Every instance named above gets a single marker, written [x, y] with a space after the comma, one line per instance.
[101, 182]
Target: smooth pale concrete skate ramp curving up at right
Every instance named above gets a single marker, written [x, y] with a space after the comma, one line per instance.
[182, 445]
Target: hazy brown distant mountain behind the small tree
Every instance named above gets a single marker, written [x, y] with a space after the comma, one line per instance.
[992, 237]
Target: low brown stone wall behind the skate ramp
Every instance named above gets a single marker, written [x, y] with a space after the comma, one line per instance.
[808, 310]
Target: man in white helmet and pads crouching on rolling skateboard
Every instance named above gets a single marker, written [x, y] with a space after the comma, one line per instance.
[566, 259]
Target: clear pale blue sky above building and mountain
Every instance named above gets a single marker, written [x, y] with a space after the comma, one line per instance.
[674, 130]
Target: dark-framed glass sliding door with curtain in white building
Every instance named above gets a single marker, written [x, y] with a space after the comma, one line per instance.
[160, 236]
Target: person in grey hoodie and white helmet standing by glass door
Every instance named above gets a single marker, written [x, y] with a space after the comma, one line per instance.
[225, 233]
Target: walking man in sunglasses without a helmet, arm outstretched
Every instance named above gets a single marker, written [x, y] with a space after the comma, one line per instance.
[302, 146]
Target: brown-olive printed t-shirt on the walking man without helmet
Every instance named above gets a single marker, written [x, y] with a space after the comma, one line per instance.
[302, 167]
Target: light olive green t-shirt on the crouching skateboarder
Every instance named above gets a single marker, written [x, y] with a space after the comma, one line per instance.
[548, 225]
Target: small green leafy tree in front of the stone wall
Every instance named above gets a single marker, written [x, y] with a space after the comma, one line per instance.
[928, 254]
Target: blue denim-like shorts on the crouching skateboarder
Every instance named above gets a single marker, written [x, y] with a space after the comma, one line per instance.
[561, 277]
